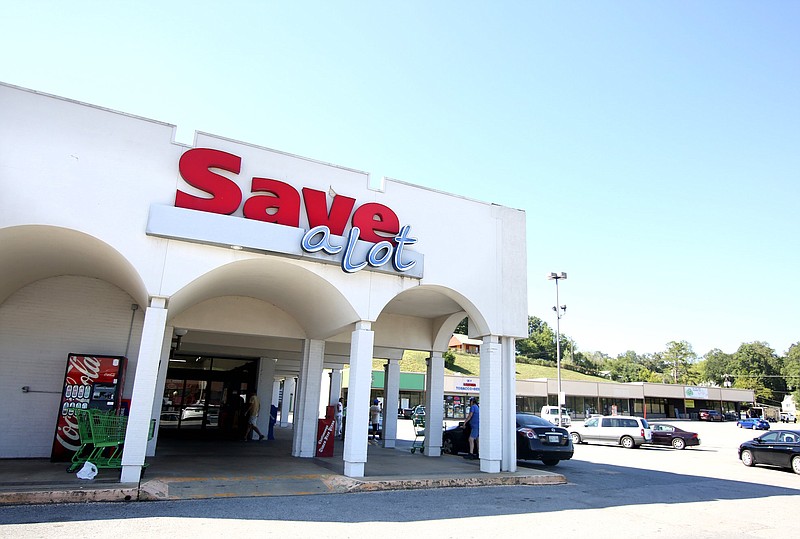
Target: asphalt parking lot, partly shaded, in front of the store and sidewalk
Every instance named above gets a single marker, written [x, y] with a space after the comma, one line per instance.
[611, 492]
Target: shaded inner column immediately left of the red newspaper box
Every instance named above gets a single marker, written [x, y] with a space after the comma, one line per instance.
[307, 409]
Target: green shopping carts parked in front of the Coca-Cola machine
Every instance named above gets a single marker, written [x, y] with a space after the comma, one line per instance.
[102, 436]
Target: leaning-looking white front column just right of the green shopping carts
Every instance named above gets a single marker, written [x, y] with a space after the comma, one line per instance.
[144, 386]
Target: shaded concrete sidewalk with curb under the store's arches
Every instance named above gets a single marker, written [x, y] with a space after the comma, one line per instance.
[210, 469]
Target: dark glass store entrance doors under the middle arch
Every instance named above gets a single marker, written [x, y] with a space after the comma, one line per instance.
[204, 397]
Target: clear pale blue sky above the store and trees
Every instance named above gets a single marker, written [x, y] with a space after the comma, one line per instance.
[654, 145]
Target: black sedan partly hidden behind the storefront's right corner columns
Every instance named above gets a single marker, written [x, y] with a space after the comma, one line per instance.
[537, 439]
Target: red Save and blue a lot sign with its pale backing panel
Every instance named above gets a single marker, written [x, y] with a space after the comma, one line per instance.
[374, 241]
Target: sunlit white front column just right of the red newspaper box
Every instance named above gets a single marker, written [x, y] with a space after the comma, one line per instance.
[356, 424]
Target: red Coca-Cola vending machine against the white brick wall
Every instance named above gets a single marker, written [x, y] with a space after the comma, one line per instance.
[90, 382]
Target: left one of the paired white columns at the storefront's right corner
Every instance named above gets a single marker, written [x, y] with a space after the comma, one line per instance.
[490, 442]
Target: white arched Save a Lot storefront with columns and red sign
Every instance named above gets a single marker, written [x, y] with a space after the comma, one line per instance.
[118, 241]
